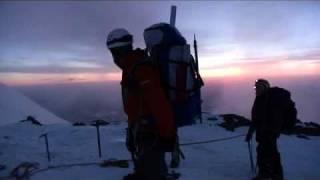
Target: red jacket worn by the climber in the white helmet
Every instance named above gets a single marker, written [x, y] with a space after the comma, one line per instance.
[145, 97]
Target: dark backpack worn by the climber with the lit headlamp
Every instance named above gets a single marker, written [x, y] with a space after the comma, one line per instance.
[287, 106]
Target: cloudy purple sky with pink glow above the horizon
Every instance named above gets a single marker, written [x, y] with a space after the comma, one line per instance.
[58, 42]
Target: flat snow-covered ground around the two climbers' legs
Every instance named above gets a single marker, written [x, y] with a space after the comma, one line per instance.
[223, 160]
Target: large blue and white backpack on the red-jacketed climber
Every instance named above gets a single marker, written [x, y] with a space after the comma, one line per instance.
[170, 53]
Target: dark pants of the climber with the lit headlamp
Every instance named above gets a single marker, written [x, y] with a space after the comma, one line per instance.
[268, 159]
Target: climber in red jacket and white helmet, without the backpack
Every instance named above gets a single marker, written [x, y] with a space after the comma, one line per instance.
[151, 130]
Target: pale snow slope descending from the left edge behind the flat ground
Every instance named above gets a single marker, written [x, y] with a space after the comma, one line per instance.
[14, 107]
